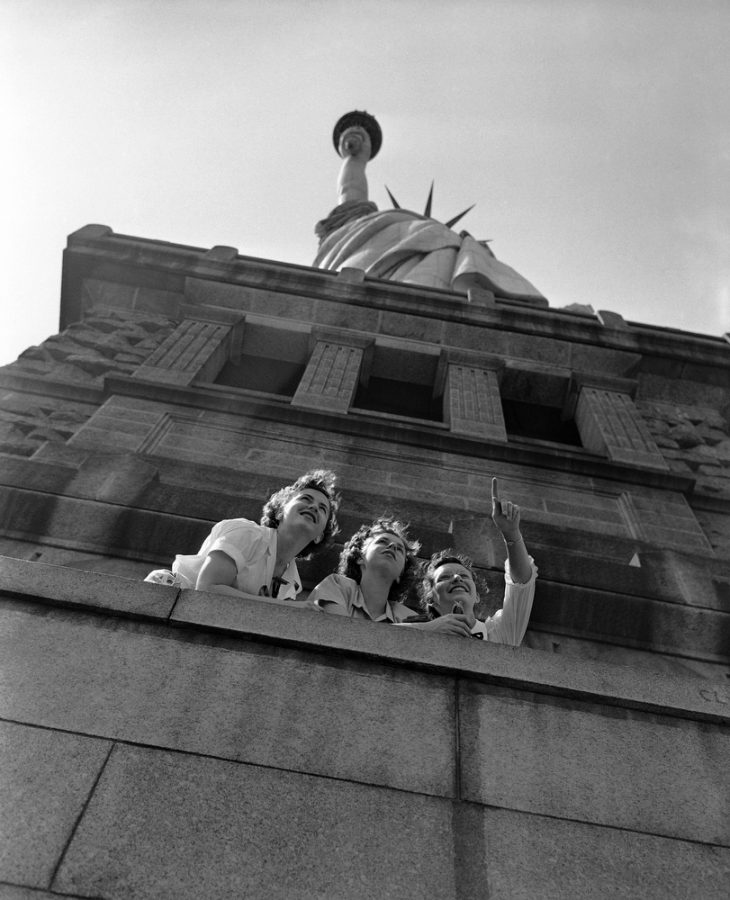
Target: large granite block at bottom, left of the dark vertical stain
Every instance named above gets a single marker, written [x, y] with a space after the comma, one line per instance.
[165, 825]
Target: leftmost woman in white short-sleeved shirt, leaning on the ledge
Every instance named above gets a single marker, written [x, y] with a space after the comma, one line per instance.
[240, 558]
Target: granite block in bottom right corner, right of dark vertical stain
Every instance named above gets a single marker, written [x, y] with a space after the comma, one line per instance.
[534, 857]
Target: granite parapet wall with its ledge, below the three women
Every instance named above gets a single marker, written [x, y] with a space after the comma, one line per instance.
[158, 744]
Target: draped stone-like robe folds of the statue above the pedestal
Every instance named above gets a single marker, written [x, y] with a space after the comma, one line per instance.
[400, 245]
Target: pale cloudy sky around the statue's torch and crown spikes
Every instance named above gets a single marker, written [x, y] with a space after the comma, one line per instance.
[593, 136]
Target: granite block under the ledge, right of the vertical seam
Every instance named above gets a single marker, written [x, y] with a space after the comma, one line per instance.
[570, 759]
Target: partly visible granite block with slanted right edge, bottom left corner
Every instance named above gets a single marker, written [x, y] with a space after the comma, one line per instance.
[45, 780]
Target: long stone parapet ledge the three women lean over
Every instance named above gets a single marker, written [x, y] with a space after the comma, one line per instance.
[518, 667]
